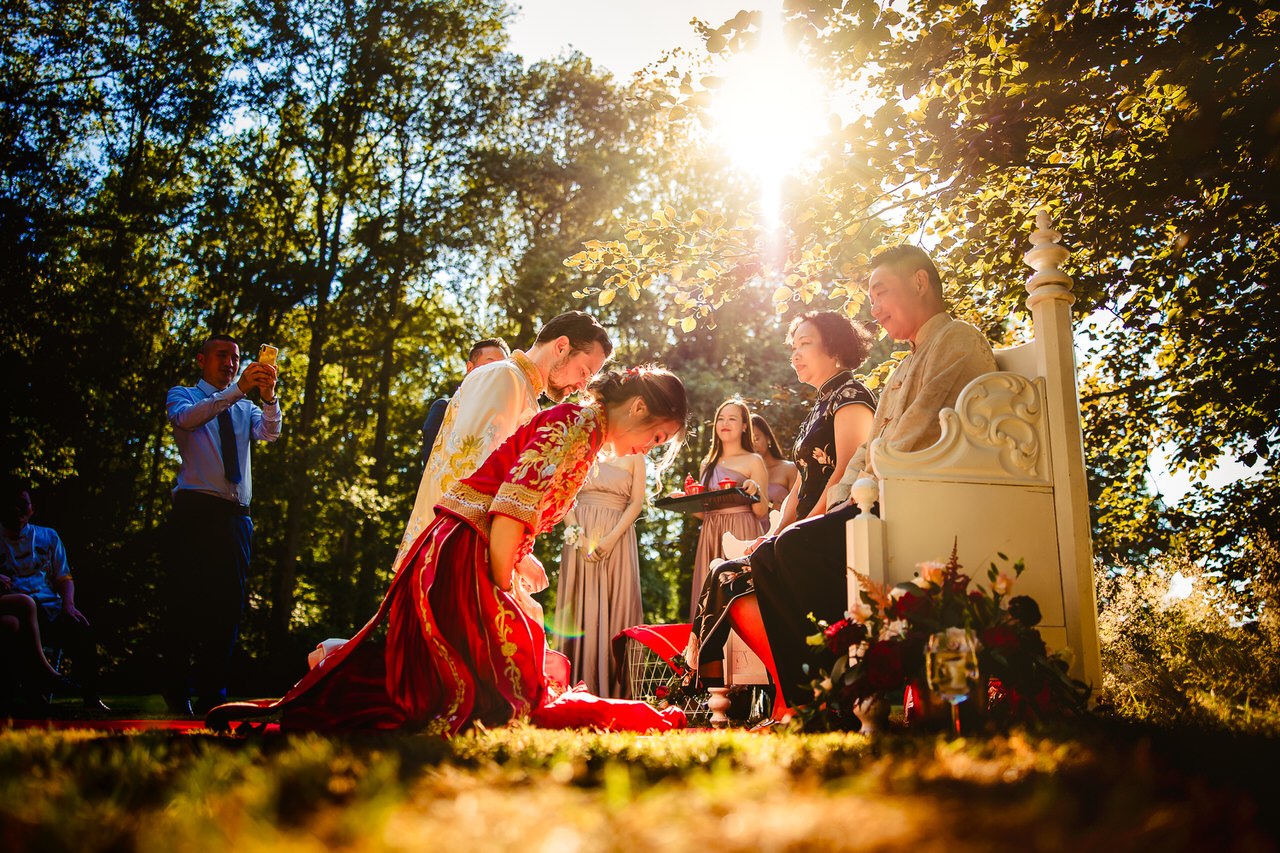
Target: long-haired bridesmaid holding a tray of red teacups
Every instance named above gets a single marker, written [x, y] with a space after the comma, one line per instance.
[730, 459]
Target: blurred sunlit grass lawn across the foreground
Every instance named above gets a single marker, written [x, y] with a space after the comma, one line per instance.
[1110, 787]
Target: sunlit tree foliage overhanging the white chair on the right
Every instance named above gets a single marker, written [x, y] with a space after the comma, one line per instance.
[1150, 133]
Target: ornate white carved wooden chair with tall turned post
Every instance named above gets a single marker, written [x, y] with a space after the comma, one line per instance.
[1007, 477]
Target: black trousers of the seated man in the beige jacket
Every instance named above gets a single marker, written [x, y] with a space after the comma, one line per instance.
[799, 577]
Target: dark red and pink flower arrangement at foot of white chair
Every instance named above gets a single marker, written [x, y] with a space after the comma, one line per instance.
[881, 645]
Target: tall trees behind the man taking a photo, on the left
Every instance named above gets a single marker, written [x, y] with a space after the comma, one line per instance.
[369, 188]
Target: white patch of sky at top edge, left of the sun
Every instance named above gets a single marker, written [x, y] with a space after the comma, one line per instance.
[621, 37]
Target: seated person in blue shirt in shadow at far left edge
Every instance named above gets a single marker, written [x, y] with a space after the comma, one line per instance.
[34, 565]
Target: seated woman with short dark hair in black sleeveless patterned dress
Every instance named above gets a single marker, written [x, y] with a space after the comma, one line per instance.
[825, 349]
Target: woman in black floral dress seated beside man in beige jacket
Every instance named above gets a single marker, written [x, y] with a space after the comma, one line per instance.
[825, 349]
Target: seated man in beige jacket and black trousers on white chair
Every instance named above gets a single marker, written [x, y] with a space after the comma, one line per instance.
[802, 572]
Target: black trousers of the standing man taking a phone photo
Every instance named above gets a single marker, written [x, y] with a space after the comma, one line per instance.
[211, 542]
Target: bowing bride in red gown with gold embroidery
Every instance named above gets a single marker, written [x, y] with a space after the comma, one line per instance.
[451, 645]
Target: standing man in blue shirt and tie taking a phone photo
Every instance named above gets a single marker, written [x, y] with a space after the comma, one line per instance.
[212, 532]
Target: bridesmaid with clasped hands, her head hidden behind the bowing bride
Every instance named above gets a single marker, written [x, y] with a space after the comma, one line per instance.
[600, 580]
